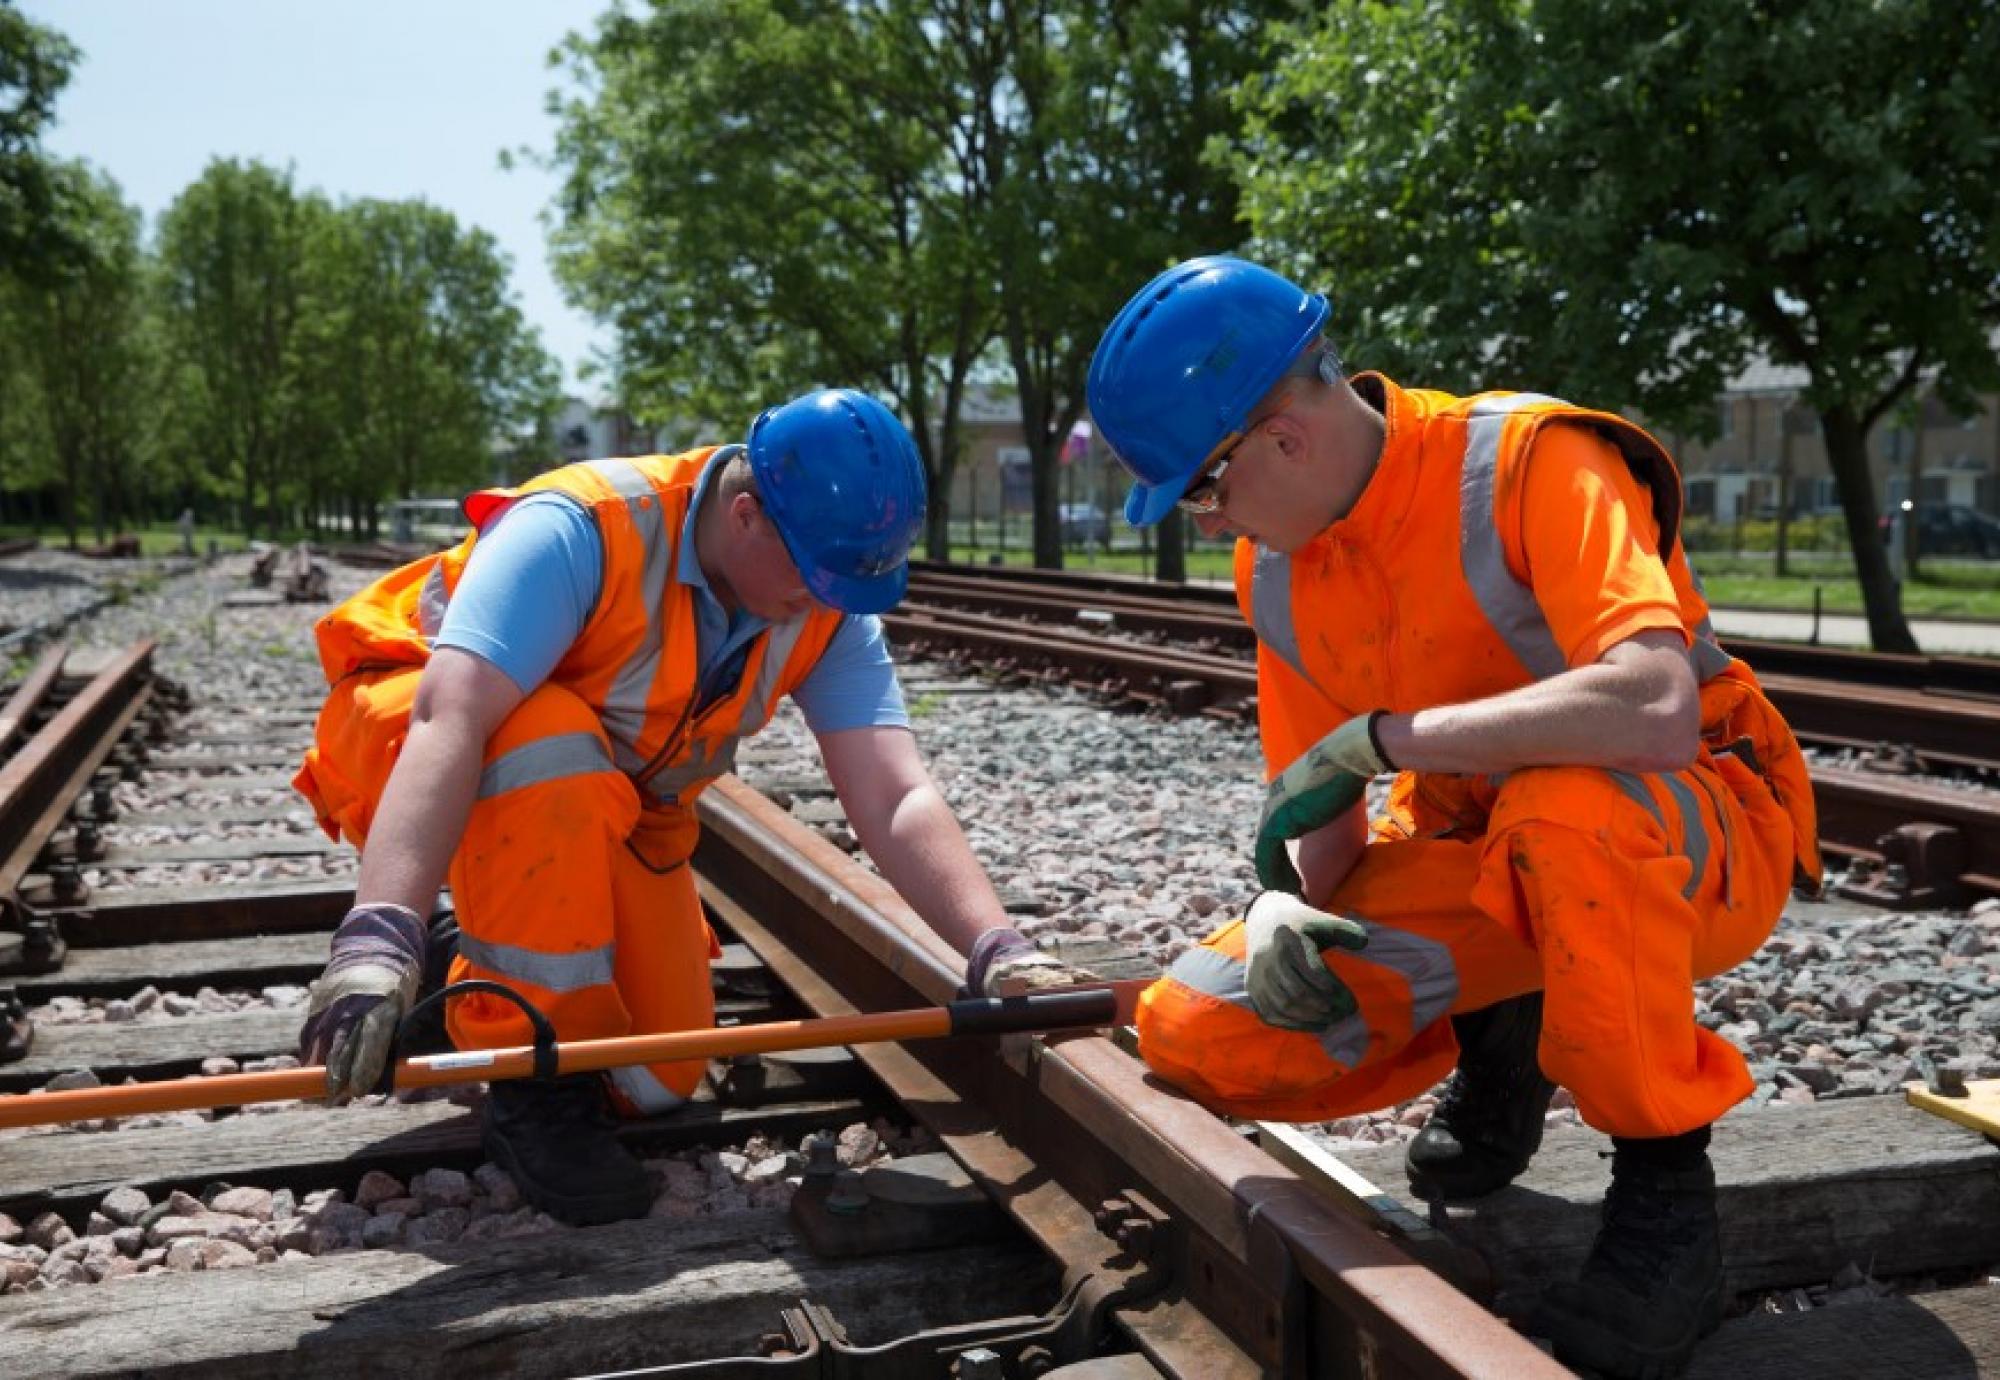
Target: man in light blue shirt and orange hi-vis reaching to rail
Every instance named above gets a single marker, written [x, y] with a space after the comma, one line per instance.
[535, 713]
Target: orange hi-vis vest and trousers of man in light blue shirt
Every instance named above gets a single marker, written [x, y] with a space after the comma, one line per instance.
[571, 881]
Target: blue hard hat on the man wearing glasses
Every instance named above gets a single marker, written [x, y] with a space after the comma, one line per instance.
[1185, 361]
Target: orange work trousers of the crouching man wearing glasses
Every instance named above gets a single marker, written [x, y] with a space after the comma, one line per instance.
[1609, 891]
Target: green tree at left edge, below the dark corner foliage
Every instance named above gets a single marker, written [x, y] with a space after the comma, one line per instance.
[79, 341]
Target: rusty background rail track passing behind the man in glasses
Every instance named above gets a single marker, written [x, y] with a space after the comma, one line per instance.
[1909, 843]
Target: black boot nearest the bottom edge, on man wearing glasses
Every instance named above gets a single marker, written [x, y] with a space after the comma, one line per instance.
[1653, 1285]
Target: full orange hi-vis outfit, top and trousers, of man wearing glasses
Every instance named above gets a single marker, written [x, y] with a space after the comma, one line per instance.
[1505, 539]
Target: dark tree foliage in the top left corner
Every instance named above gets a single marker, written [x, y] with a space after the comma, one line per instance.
[35, 65]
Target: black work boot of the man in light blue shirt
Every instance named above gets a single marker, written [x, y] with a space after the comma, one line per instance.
[557, 1141]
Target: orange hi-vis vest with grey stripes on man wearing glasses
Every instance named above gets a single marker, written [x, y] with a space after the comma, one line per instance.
[1445, 619]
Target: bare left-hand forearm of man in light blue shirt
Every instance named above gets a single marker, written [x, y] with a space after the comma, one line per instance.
[421, 819]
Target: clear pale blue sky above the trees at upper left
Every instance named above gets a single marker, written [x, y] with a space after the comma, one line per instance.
[387, 99]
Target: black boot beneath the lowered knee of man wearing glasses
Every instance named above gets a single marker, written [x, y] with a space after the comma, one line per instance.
[1489, 1123]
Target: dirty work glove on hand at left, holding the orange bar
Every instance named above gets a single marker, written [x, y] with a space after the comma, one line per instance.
[363, 997]
